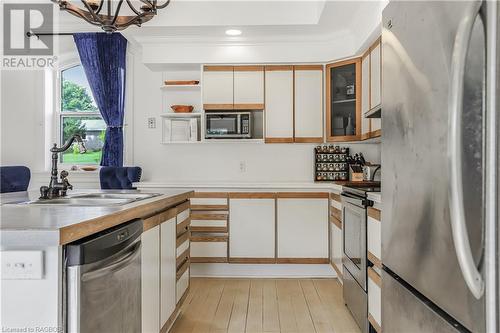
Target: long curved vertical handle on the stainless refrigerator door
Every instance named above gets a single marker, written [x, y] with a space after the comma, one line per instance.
[470, 272]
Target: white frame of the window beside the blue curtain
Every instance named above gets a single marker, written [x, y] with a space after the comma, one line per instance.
[60, 114]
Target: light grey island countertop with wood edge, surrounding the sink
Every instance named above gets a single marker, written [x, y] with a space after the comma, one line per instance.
[49, 225]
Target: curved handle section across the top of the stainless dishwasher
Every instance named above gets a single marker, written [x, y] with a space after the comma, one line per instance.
[104, 244]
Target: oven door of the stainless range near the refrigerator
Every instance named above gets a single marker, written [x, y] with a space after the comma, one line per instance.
[354, 230]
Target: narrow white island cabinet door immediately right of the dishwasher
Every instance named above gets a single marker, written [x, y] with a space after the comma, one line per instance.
[150, 280]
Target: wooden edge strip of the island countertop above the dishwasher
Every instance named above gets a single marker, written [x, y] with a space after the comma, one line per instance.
[80, 230]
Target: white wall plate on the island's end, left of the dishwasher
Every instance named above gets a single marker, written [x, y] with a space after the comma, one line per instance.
[21, 265]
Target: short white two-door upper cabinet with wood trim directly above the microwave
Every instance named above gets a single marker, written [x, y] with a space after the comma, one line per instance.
[233, 87]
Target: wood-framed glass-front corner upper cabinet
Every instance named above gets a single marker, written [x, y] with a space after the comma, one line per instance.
[343, 109]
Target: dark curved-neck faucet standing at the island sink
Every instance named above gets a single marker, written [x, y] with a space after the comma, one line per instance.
[58, 188]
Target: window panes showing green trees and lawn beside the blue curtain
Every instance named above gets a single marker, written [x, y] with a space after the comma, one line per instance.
[79, 115]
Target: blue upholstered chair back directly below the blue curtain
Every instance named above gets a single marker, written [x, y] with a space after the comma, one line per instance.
[119, 178]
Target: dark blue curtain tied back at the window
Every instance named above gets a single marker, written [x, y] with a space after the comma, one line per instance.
[103, 58]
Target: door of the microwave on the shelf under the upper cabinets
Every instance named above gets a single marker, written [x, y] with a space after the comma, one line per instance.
[223, 125]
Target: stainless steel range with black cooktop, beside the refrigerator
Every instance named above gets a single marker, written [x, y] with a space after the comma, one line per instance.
[354, 255]
